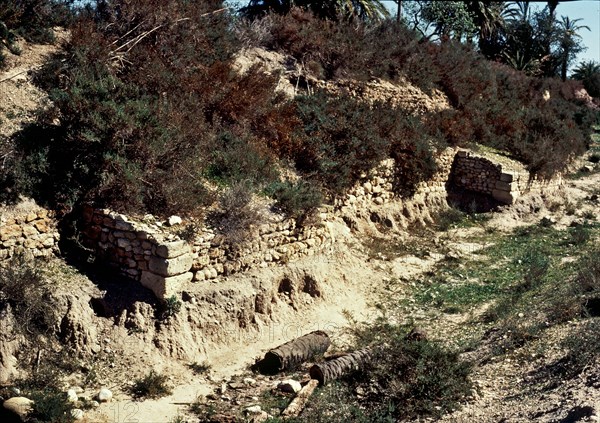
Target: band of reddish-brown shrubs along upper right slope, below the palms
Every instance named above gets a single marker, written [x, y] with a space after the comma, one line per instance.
[492, 104]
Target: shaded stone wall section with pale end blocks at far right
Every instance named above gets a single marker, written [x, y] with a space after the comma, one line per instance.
[479, 174]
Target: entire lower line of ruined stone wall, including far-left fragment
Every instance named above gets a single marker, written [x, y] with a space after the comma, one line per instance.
[154, 254]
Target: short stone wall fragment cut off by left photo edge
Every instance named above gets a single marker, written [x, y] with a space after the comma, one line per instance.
[33, 233]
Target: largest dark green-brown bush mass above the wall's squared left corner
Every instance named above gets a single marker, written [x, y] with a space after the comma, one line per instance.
[157, 124]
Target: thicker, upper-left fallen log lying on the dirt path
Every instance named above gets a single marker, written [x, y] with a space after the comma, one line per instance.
[292, 353]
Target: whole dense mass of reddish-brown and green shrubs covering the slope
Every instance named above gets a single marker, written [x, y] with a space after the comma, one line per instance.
[146, 102]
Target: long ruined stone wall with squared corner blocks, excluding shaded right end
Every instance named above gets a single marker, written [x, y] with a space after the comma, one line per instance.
[152, 253]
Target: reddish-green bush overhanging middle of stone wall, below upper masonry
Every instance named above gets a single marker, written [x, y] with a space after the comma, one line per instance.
[343, 138]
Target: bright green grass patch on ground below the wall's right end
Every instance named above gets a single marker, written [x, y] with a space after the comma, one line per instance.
[518, 268]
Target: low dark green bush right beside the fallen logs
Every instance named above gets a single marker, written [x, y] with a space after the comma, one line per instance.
[408, 377]
